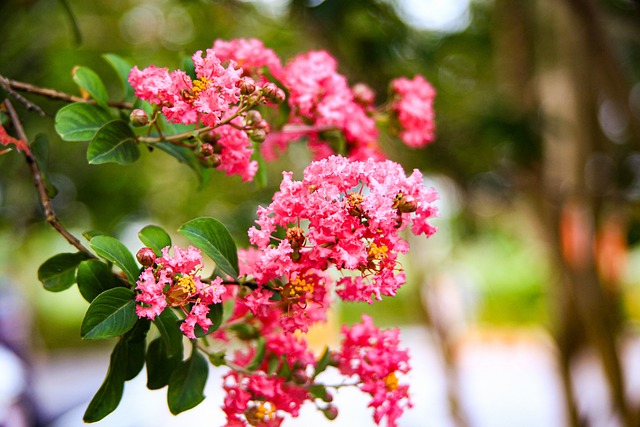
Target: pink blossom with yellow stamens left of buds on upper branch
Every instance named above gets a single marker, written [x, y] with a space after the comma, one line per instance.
[183, 100]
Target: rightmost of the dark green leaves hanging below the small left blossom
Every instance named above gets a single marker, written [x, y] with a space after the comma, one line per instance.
[187, 382]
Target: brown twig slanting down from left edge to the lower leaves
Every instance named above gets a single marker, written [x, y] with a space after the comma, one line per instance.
[50, 214]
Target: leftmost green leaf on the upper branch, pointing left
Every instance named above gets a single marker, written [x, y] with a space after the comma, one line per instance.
[80, 121]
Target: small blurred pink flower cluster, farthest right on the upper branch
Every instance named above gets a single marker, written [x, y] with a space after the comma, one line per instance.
[413, 105]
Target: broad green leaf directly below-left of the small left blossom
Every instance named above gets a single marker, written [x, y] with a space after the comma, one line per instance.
[112, 313]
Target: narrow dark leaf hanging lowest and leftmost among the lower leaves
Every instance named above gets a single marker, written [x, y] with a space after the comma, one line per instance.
[108, 396]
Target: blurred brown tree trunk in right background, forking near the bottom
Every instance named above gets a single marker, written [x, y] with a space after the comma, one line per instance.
[556, 64]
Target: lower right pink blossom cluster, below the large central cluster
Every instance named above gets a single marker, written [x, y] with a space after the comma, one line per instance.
[374, 357]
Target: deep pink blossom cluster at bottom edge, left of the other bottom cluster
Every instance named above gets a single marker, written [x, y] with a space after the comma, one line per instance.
[262, 397]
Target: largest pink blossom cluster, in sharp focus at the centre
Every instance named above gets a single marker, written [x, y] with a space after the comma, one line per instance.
[346, 214]
